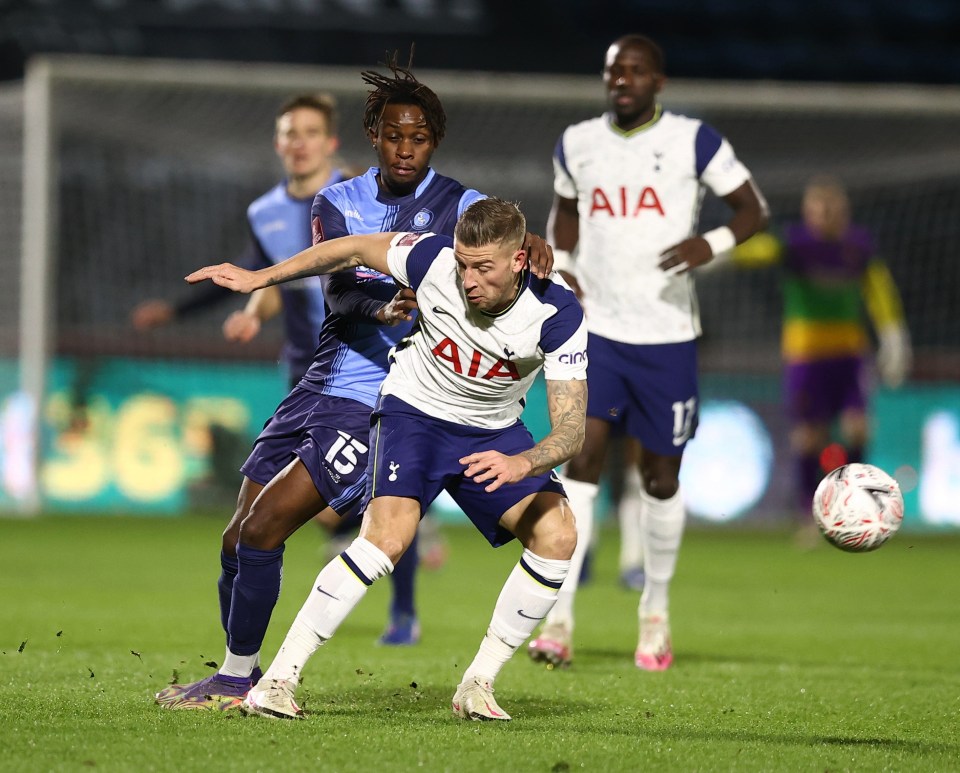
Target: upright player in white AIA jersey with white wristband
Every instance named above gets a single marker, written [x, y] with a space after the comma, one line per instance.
[628, 187]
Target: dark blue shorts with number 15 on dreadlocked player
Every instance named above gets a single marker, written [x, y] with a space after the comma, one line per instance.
[330, 435]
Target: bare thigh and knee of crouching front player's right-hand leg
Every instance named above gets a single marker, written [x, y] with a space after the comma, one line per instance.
[544, 524]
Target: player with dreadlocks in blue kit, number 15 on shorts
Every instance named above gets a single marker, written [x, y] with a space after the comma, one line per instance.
[313, 450]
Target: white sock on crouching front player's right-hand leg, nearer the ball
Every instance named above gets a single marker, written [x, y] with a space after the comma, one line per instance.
[527, 596]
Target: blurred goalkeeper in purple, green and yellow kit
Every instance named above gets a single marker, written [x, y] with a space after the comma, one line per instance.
[831, 272]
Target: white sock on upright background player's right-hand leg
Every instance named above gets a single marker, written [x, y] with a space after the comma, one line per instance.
[662, 523]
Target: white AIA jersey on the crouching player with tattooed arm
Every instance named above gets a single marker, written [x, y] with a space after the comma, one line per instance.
[470, 367]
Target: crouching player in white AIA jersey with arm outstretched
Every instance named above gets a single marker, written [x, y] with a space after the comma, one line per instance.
[448, 418]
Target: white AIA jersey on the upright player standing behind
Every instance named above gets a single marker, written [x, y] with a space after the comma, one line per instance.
[638, 193]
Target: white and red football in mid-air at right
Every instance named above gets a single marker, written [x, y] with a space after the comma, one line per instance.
[858, 507]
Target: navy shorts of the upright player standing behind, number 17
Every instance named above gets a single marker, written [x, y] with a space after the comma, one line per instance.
[649, 391]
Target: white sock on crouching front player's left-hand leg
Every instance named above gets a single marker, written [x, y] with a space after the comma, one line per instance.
[337, 590]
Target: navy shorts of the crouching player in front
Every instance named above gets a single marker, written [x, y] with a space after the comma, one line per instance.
[417, 456]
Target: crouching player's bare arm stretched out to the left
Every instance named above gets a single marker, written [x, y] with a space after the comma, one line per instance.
[335, 255]
